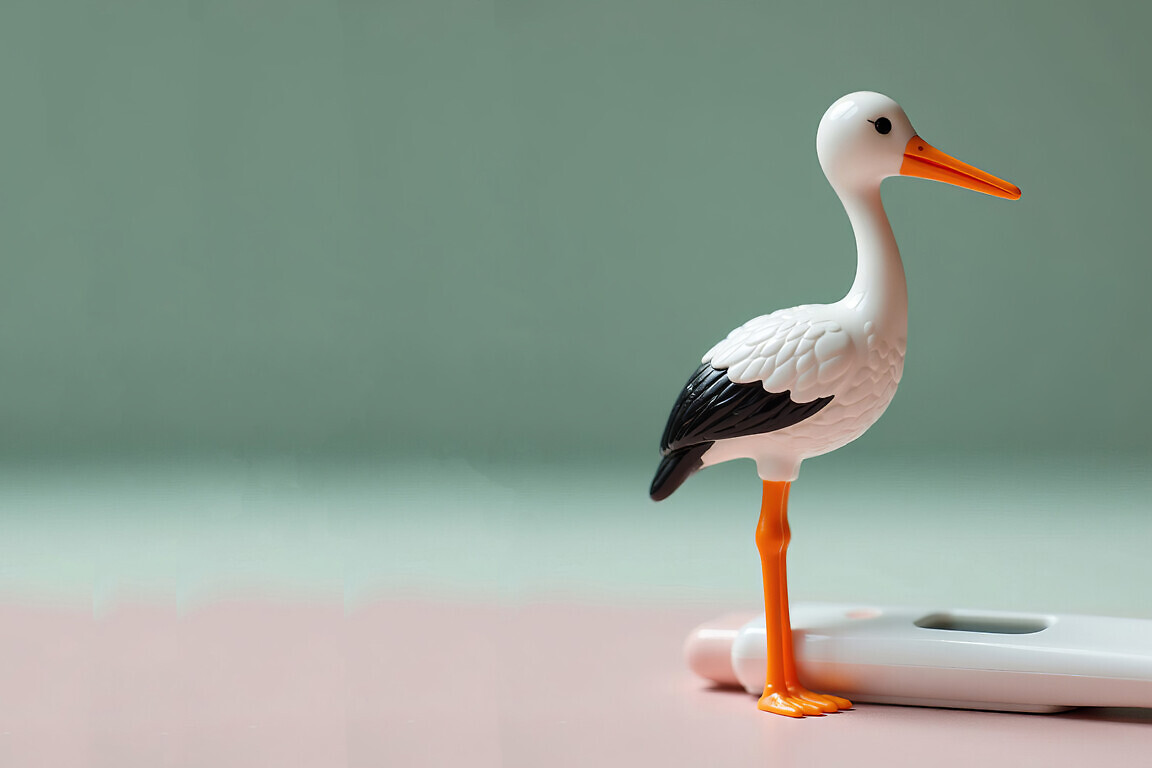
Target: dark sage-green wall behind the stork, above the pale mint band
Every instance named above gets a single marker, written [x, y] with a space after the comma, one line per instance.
[511, 229]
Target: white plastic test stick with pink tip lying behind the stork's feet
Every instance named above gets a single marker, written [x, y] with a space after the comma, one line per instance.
[962, 659]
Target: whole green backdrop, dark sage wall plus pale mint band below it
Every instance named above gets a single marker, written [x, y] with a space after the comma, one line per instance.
[396, 296]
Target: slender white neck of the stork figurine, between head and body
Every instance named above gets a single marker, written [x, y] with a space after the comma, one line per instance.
[881, 291]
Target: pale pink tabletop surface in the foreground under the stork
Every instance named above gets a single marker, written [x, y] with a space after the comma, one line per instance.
[412, 683]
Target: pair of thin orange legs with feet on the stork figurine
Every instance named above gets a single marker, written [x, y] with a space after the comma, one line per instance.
[783, 693]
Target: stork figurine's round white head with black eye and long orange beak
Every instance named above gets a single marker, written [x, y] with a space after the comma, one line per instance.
[866, 138]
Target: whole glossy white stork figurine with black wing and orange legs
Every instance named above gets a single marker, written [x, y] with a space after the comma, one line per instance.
[807, 381]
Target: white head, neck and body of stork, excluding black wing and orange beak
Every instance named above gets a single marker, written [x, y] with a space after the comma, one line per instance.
[852, 351]
